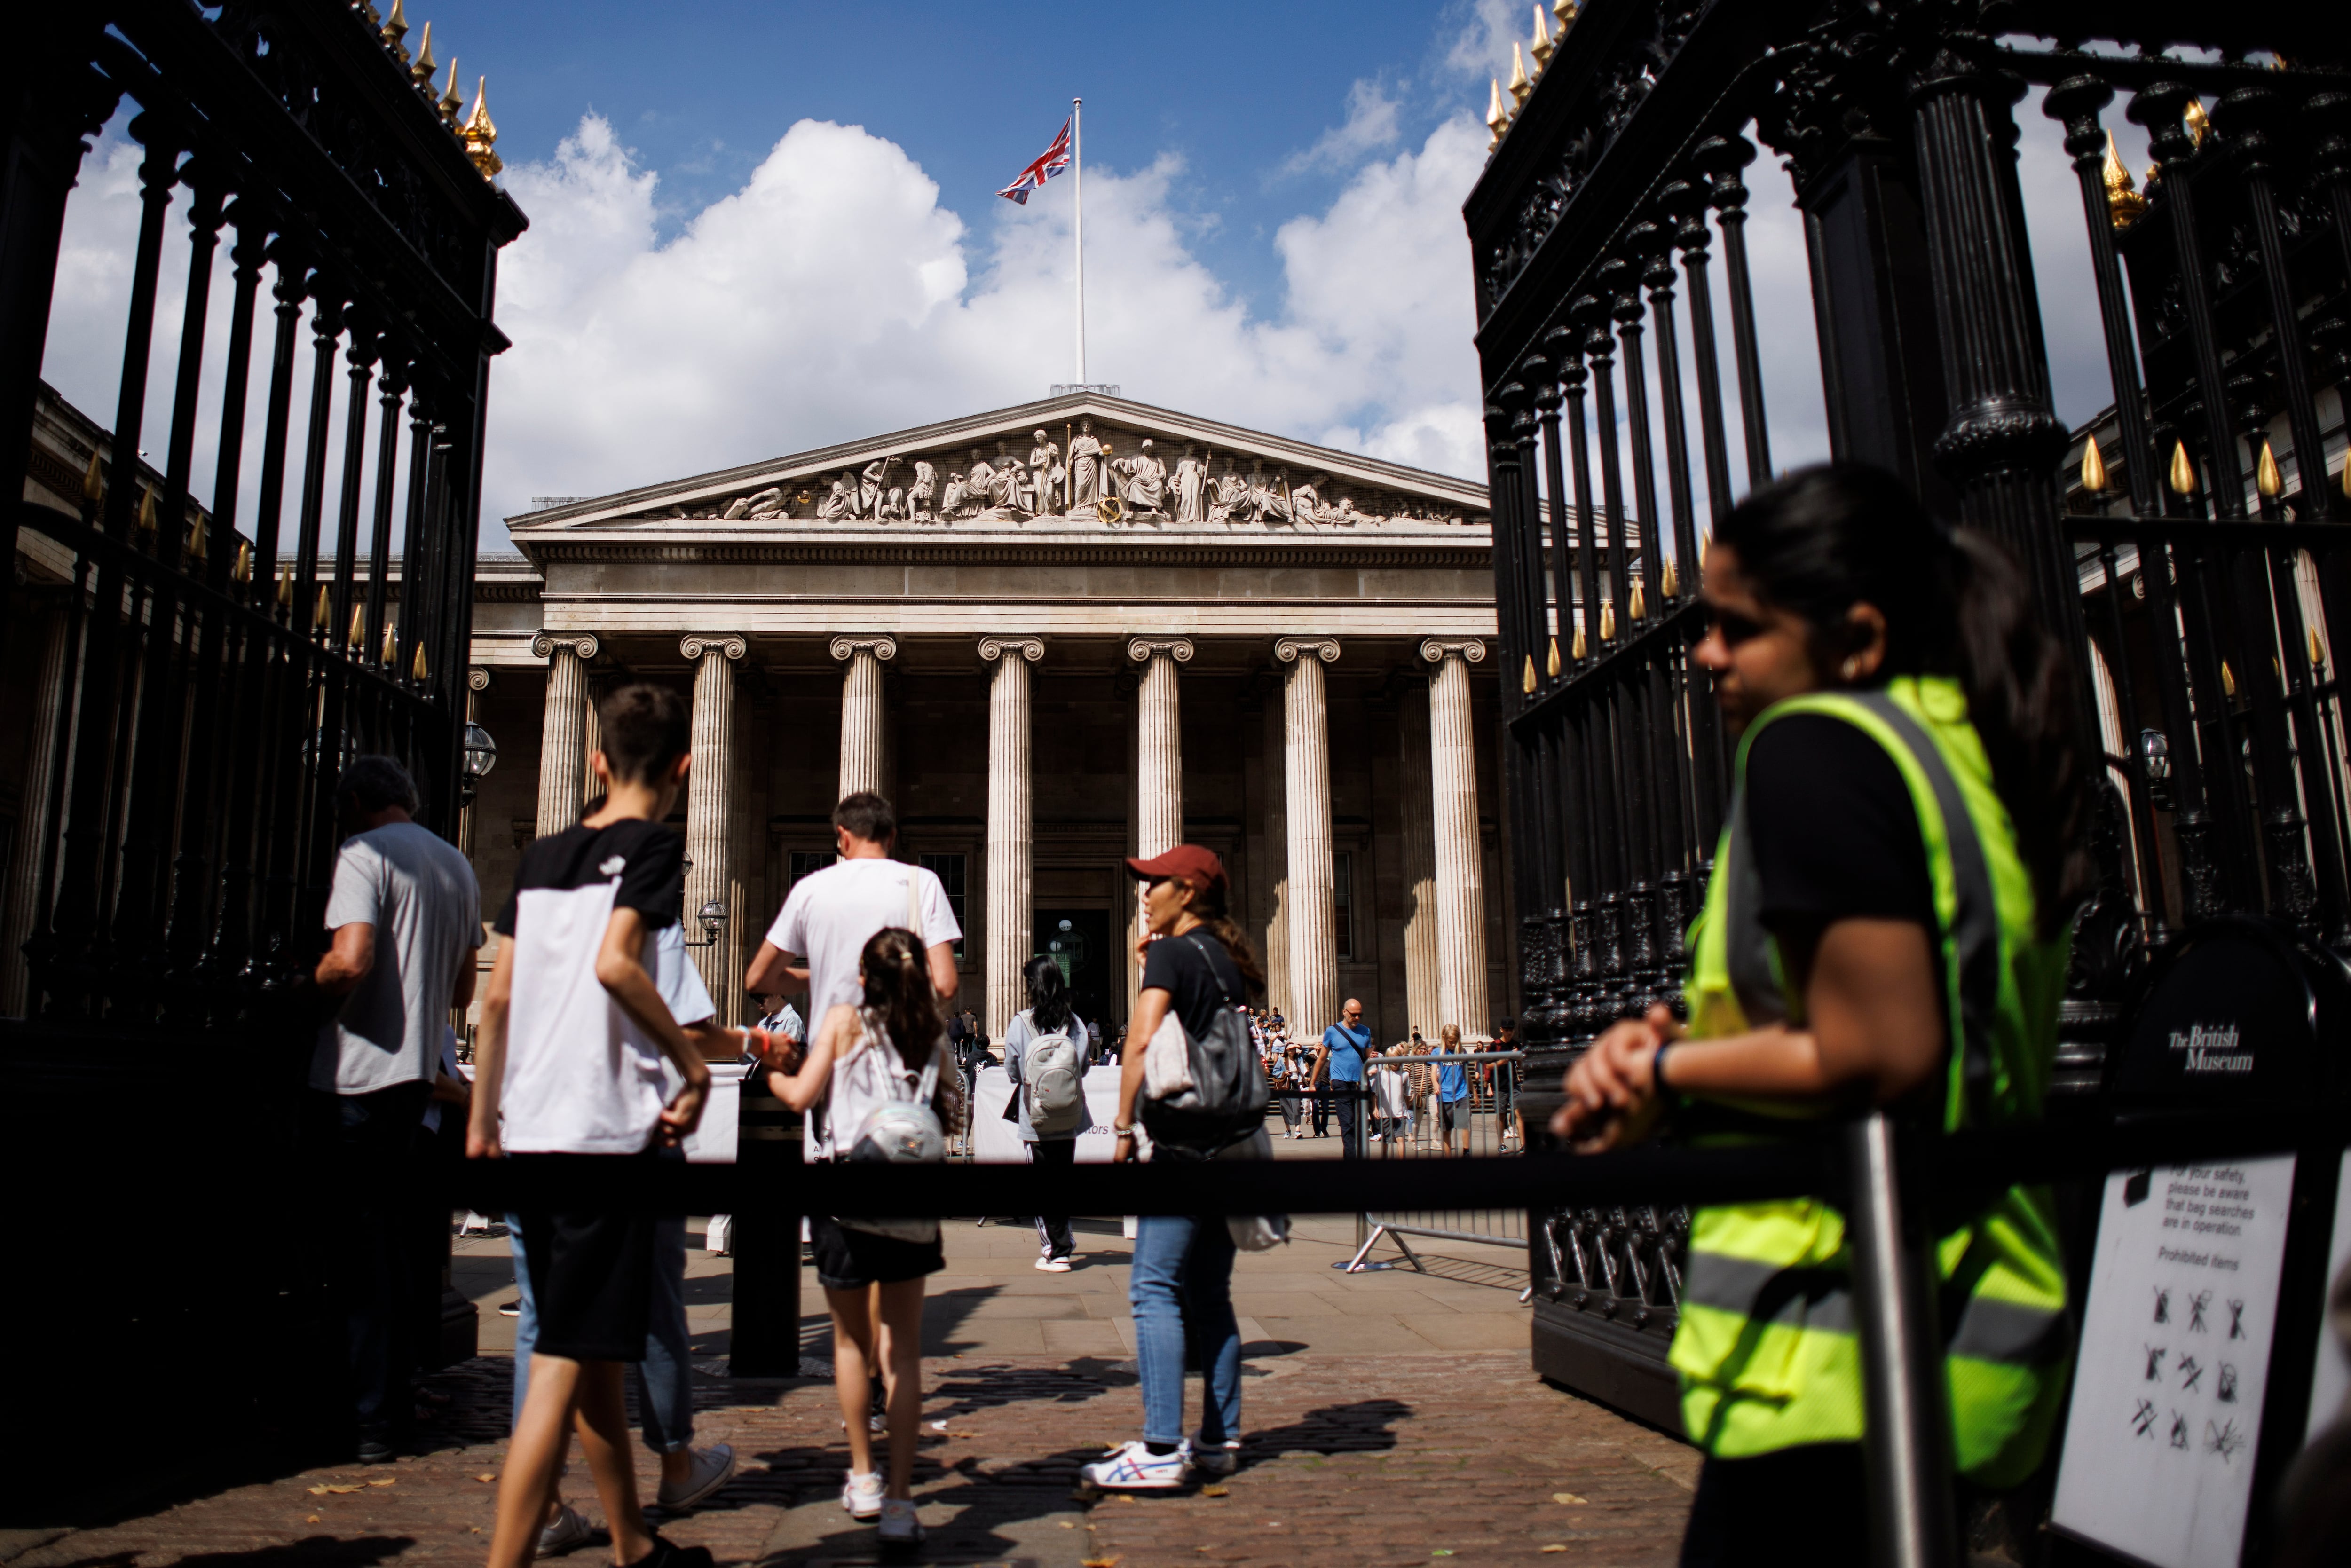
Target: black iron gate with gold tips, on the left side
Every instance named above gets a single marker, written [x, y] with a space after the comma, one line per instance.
[210, 671]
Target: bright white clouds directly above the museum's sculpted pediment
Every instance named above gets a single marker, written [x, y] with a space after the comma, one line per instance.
[838, 297]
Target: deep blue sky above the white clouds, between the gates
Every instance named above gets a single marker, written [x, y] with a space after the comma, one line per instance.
[1252, 98]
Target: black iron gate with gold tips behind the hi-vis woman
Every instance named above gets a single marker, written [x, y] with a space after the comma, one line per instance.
[2188, 544]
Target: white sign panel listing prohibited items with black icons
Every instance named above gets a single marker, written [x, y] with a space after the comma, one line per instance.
[2173, 1362]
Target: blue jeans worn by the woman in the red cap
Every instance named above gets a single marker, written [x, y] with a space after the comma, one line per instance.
[1181, 1292]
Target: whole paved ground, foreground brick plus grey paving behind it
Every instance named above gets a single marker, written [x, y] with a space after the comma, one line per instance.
[1391, 1416]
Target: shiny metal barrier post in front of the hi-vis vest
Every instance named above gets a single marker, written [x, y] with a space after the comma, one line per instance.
[1908, 1433]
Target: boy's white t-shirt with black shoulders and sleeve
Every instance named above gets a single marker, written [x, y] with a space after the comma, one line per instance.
[580, 1073]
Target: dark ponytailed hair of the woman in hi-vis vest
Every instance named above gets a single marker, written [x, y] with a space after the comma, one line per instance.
[1823, 540]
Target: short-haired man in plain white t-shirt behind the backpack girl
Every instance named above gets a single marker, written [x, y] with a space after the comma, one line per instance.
[833, 913]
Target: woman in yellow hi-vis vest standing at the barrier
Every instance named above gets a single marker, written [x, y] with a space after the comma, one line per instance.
[1887, 925]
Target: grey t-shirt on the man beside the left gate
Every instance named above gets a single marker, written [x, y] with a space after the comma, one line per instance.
[422, 899]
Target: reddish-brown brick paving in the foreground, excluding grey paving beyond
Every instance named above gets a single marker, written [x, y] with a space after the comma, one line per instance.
[1398, 1459]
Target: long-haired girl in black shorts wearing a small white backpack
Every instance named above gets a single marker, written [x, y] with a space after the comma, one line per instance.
[869, 1057]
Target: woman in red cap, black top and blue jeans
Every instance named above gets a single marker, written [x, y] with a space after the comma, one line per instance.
[1195, 963]
